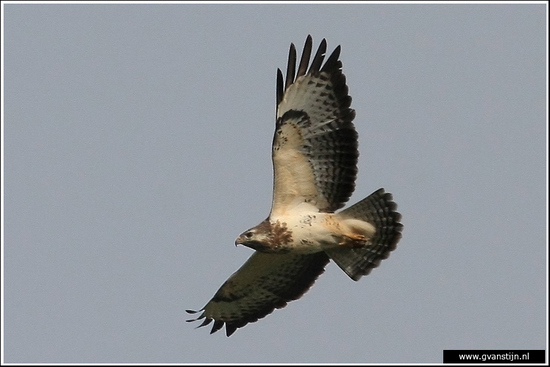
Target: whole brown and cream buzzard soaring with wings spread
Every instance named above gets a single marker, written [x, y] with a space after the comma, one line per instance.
[314, 155]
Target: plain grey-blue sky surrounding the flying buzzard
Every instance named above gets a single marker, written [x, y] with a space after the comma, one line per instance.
[137, 147]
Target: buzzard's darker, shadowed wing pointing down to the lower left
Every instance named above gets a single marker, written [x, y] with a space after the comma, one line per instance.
[265, 282]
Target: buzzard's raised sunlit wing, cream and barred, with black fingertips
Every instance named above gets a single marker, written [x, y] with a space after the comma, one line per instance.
[315, 143]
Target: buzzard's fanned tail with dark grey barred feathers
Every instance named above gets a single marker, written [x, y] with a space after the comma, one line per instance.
[379, 210]
